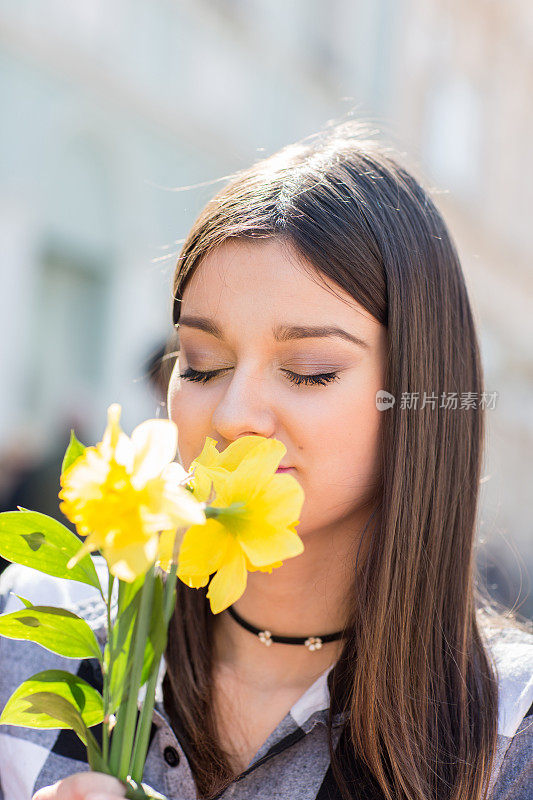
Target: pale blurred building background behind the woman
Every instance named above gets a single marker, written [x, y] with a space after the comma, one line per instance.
[109, 105]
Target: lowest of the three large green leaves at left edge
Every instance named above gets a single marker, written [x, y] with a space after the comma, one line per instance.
[28, 708]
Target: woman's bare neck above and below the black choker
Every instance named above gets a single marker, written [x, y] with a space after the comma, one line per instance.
[307, 596]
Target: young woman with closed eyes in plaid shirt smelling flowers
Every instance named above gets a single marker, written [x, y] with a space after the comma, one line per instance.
[317, 280]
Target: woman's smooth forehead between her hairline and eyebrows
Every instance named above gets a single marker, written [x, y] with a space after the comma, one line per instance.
[267, 279]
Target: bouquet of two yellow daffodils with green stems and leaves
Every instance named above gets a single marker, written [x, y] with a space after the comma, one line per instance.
[153, 522]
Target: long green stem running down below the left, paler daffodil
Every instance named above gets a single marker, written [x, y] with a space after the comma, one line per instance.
[129, 717]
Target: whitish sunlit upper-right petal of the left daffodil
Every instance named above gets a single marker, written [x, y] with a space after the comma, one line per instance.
[154, 442]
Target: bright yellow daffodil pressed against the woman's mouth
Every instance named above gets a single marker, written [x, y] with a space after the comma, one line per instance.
[251, 523]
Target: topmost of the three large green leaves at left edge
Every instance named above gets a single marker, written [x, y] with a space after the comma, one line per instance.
[38, 541]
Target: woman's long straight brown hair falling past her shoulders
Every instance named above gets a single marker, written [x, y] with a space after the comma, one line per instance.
[414, 679]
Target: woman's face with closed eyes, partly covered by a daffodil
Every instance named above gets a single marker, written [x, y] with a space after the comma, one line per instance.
[267, 350]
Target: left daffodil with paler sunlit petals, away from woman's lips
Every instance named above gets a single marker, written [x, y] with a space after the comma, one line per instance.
[124, 492]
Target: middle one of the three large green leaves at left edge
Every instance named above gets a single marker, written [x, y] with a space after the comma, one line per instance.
[55, 629]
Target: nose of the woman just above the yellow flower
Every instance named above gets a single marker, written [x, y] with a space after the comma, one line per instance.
[244, 409]
